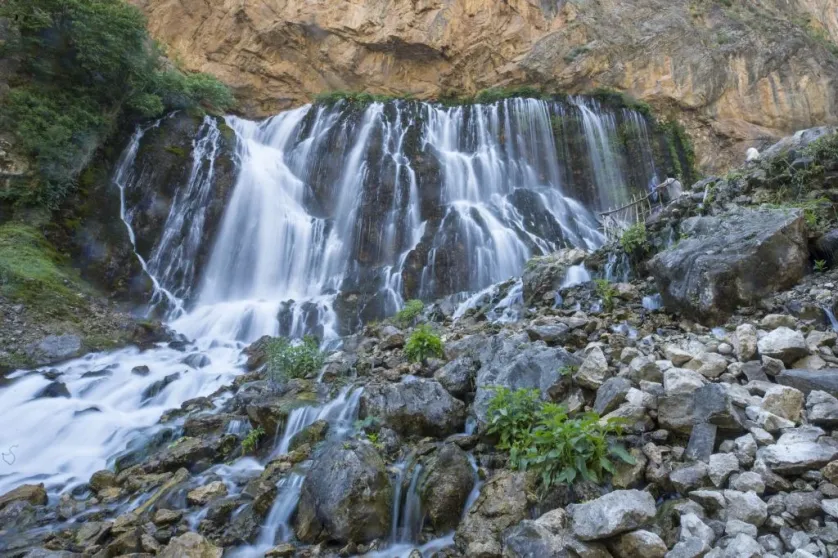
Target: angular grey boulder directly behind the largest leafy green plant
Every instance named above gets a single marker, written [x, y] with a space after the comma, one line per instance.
[510, 360]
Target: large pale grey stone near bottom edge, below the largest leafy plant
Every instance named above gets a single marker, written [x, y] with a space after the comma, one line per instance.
[615, 513]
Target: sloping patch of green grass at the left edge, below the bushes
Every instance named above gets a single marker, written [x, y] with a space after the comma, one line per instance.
[32, 272]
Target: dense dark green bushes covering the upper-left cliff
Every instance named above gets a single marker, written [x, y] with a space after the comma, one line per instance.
[84, 67]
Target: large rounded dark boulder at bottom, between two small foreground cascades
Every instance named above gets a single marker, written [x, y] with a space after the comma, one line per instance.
[346, 495]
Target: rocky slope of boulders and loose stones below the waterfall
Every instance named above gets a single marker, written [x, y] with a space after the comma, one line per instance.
[731, 429]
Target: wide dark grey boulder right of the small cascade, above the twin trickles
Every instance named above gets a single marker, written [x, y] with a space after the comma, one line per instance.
[414, 406]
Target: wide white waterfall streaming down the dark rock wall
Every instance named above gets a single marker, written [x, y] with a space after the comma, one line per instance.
[341, 212]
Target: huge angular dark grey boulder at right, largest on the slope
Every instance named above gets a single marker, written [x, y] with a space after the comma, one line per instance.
[731, 260]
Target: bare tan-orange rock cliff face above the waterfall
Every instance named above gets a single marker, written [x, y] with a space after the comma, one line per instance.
[736, 75]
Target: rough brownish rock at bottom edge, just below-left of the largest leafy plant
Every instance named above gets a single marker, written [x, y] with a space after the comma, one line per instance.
[503, 503]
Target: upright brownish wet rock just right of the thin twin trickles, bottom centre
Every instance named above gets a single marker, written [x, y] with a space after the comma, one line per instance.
[445, 487]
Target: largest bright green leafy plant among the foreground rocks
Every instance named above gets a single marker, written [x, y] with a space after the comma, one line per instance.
[542, 437]
